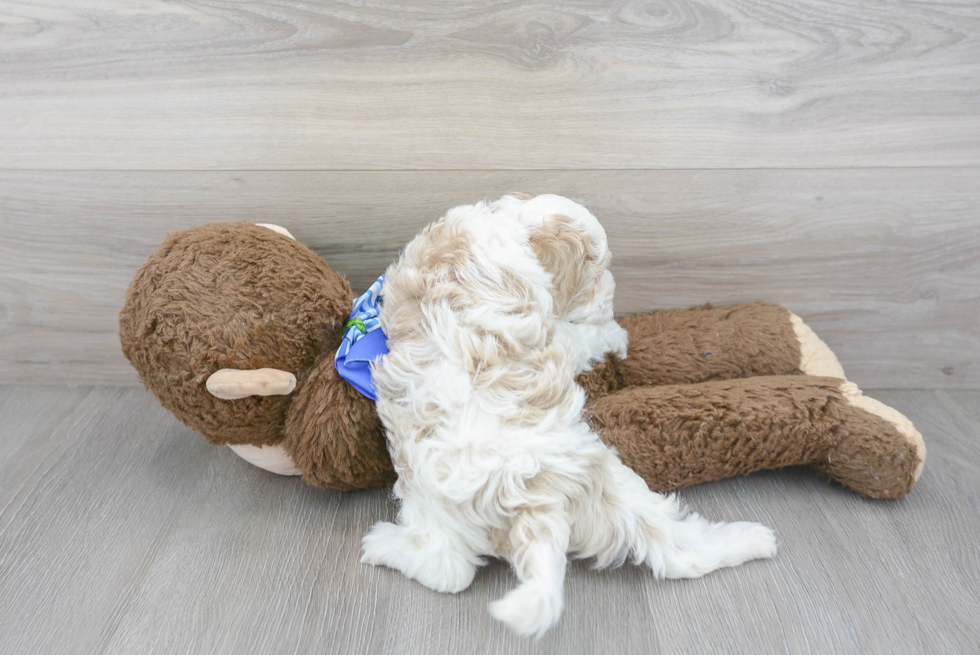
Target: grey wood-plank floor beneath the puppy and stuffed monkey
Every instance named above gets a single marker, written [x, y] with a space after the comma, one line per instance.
[122, 532]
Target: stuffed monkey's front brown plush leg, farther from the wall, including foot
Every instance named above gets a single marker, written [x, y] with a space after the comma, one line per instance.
[677, 435]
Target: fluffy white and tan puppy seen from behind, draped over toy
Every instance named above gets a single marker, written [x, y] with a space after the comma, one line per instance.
[491, 312]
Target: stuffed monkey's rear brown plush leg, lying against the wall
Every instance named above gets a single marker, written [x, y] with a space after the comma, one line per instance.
[713, 343]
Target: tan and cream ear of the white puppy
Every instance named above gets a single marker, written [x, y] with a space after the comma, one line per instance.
[568, 254]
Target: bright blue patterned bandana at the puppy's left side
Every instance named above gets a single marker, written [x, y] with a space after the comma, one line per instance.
[364, 341]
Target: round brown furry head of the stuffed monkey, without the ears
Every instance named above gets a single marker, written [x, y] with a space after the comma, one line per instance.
[230, 296]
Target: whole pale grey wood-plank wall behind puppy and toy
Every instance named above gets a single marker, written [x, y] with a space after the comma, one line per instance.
[824, 155]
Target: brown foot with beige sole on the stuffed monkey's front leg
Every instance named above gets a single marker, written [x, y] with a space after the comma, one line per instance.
[882, 454]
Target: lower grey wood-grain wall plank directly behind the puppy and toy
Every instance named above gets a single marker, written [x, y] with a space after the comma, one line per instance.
[884, 264]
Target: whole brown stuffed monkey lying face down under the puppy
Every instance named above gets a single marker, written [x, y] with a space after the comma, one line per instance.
[235, 326]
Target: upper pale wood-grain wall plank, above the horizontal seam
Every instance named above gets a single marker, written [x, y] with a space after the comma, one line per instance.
[319, 84]
